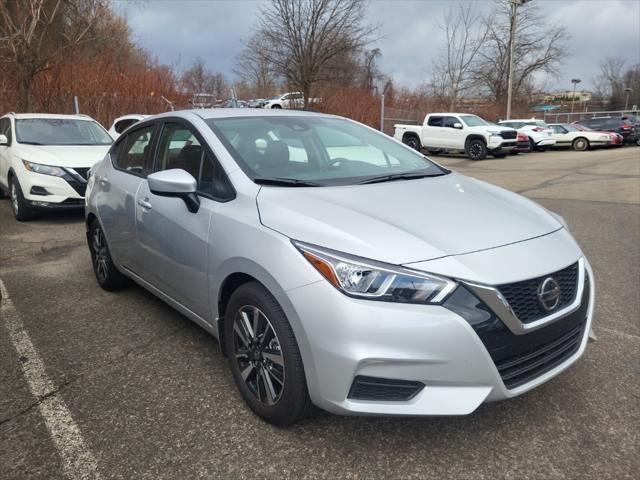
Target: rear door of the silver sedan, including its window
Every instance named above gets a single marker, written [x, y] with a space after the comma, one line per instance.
[131, 161]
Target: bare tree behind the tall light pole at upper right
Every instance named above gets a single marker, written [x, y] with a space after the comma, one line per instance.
[540, 49]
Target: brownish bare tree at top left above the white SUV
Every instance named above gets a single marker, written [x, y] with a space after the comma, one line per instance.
[35, 33]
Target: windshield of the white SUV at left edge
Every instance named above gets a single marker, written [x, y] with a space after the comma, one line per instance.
[61, 131]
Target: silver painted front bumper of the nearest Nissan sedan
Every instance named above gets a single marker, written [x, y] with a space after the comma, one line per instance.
[346, 337]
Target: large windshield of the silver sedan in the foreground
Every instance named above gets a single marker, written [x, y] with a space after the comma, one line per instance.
[325, 151]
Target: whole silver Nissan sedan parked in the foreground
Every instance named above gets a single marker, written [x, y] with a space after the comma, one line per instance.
[337, 266]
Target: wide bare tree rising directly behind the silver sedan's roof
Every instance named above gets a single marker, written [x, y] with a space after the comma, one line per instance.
[302, 37]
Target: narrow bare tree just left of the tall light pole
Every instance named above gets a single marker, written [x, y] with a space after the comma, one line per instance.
[466, 34]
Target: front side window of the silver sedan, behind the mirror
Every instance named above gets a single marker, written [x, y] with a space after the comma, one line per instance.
[180, 148]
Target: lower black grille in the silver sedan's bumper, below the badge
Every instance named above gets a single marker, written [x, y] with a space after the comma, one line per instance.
[520, 369]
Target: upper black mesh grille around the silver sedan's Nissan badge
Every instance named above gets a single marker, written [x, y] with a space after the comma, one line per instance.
[523, 296]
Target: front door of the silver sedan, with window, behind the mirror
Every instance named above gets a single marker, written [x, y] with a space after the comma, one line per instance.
[172, 241]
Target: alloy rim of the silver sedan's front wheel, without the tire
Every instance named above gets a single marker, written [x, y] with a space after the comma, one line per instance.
[258, 355]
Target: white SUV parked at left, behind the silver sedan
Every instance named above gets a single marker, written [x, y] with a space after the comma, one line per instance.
[45, 160]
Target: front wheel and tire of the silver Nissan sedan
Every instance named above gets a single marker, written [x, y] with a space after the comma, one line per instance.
[255, 374]
